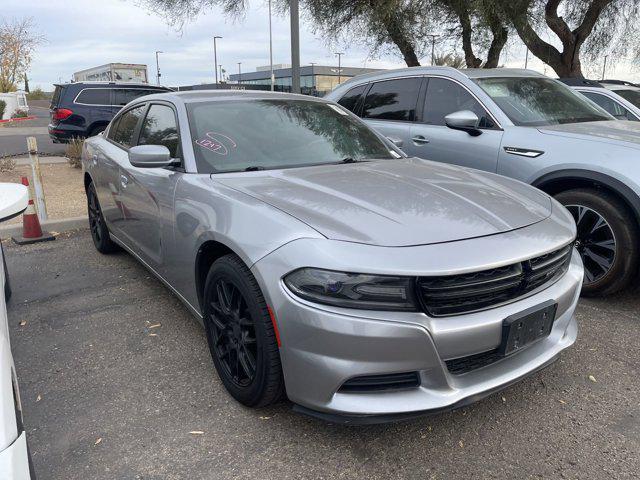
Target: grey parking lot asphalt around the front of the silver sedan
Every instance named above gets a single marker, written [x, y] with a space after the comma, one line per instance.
[117, 383]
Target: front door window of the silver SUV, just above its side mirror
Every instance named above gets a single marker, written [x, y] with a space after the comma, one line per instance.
[445, 97]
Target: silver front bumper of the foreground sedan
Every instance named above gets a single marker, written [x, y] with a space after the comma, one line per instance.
[323, 347]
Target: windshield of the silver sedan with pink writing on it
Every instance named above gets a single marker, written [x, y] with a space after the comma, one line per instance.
[256, 134]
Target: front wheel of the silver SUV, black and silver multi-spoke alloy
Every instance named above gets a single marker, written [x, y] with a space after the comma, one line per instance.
[607, 239]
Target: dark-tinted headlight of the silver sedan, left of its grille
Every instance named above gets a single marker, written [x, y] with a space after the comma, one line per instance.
[353, 290]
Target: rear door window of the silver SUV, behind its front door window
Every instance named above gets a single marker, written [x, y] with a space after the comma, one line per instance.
[393, 99]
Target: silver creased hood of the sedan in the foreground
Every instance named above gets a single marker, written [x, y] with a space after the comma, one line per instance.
[396, 202]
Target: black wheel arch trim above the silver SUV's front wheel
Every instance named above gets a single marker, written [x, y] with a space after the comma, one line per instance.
[556, 182]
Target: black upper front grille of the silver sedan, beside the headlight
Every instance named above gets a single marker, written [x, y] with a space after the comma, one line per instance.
[471, 292]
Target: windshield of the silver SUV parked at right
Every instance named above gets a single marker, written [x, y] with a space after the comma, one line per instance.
[537, 101]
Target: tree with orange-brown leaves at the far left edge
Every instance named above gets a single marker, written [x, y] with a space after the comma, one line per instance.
[18, 41]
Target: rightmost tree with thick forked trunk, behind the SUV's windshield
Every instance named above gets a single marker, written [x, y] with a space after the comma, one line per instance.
[591, 27]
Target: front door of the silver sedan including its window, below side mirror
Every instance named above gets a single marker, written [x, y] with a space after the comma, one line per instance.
[147, 193]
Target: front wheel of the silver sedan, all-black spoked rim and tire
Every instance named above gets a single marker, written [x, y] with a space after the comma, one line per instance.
[241, 336]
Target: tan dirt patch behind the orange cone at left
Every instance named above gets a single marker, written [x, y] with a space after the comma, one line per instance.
[63, 189]
